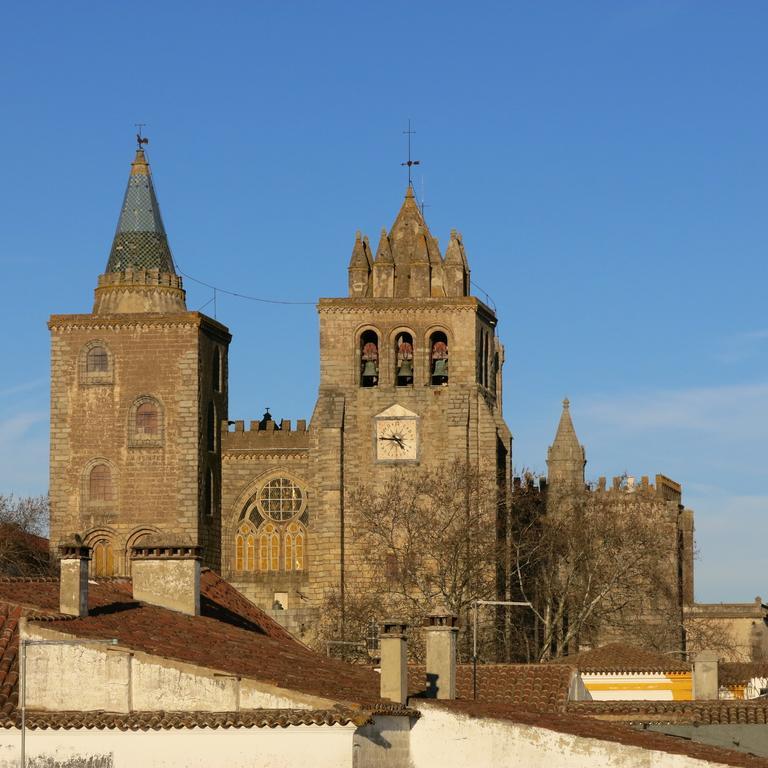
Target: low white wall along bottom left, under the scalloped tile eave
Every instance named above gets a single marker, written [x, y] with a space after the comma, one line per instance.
[291, 747]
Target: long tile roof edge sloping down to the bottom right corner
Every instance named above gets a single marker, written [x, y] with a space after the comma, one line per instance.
[591, 728]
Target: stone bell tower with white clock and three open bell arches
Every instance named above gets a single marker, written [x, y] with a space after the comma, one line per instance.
[410, 377]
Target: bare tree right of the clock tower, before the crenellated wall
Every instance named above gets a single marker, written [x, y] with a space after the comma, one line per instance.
[595, 567]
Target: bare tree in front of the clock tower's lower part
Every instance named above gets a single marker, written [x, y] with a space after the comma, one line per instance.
[425, 538]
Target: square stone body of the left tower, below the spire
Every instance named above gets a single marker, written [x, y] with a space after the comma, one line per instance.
[157, 482]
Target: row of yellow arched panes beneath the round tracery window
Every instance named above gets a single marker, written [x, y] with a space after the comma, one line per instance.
[261, 550]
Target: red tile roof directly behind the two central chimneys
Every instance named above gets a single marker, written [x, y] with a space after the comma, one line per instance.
[537, 687]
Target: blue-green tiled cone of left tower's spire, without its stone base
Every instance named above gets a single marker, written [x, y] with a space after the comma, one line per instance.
[140, 241]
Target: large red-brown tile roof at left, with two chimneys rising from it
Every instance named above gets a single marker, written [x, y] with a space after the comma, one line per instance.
[248, 642]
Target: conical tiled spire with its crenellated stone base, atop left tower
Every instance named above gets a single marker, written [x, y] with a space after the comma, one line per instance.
[140, 276]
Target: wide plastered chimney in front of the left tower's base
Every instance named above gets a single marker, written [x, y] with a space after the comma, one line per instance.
[167, 575]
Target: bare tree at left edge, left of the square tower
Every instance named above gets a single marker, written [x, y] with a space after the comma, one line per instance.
[23, 523]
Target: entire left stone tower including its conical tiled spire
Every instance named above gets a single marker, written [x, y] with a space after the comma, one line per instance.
[138, 389]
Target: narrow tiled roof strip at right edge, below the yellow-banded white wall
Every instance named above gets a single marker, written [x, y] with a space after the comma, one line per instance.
[722, 712]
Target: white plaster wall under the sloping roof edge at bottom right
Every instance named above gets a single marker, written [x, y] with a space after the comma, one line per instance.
[449, 740]
